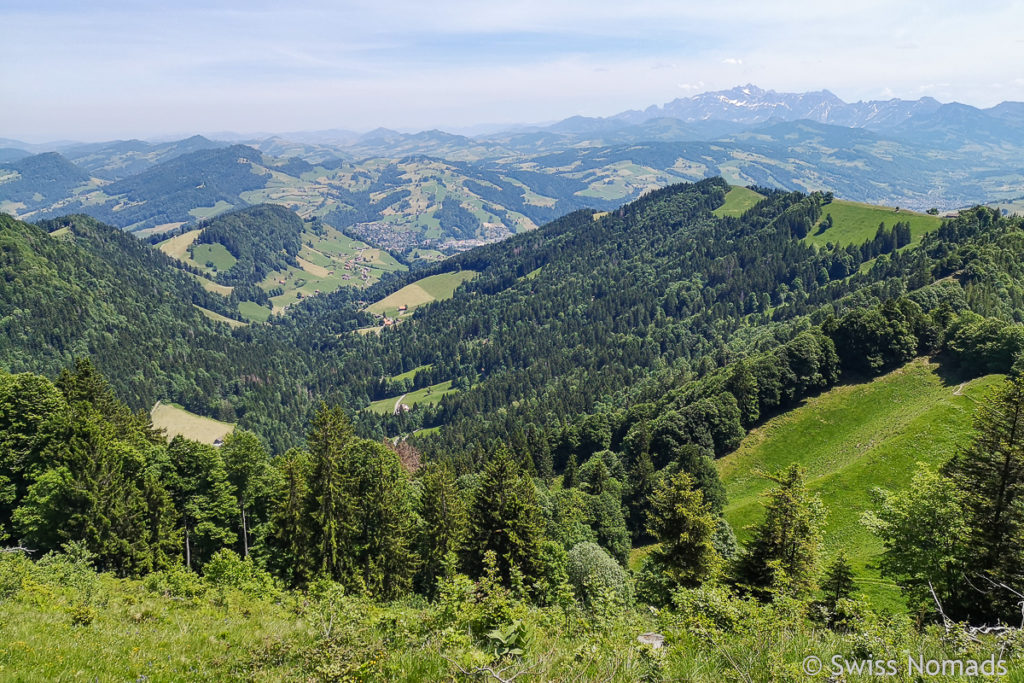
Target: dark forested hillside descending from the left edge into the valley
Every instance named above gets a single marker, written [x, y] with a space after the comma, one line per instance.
[75, 288]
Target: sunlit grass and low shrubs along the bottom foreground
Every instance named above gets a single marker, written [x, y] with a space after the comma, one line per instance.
[62, 621]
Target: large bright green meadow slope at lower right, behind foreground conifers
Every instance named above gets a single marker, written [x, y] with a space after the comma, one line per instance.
[851, 440]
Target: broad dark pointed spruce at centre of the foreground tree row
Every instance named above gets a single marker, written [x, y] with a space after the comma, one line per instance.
[505, 519]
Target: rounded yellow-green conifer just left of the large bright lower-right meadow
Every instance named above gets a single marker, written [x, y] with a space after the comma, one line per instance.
[684, 525]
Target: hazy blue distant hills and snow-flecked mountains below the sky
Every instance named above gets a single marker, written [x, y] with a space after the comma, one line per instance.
[442, 191]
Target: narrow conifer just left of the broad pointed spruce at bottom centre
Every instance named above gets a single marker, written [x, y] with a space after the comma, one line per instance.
[443, 523]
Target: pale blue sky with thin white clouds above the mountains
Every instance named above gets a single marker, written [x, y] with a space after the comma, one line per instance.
[102, 70]
